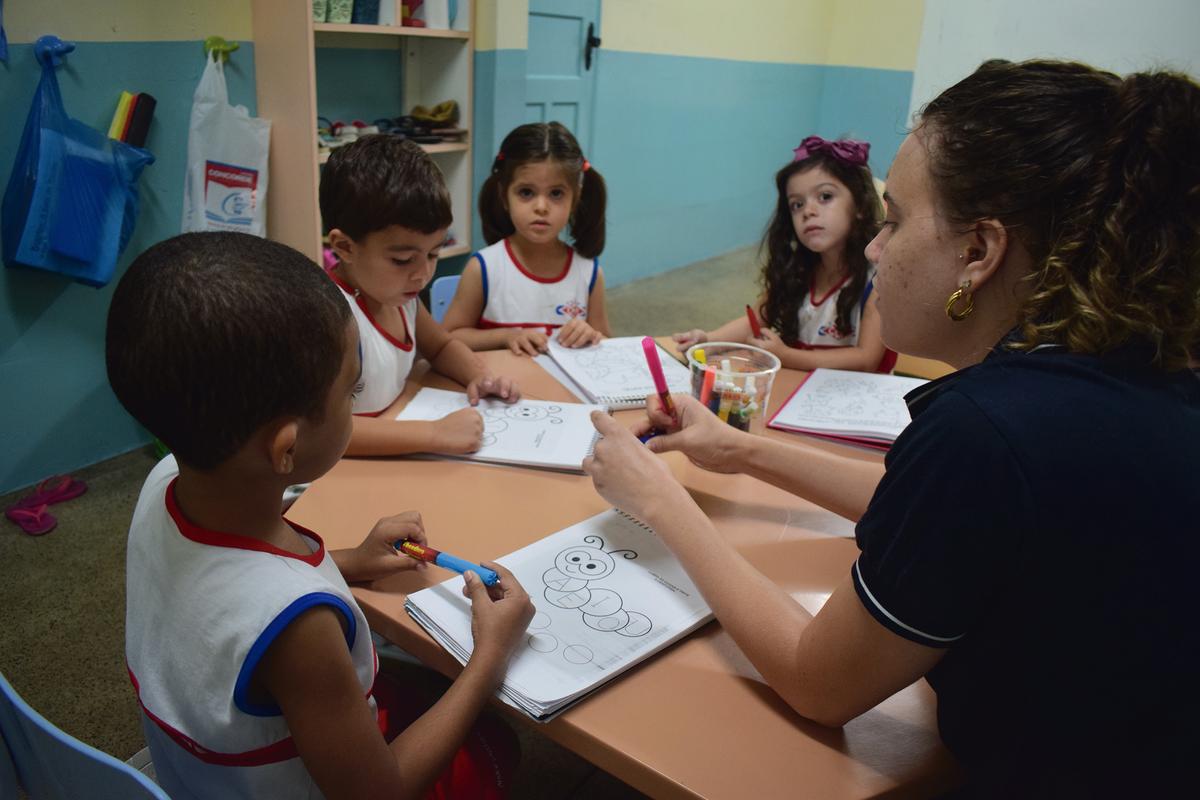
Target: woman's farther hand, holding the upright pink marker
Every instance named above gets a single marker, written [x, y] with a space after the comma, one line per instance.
[700, 435]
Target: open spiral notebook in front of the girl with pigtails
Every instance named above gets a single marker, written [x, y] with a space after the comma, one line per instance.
[615, 374]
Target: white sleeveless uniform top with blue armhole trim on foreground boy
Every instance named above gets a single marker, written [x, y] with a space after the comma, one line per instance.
[202, 609]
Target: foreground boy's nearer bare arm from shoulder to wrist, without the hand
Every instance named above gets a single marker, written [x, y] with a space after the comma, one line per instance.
[309, 673]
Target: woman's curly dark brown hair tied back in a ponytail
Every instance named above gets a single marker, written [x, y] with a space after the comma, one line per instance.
[1100, 179]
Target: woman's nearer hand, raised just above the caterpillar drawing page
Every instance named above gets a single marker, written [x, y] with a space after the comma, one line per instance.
[627, 474]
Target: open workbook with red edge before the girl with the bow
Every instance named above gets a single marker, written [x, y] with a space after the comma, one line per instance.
[862, 408]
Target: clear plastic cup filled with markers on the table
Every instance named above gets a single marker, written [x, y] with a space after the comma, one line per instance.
[734, 381]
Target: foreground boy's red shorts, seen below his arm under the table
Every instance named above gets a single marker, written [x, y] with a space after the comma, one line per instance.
[485, 765]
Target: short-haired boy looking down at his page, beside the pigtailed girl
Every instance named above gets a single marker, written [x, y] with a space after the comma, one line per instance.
[387, 209]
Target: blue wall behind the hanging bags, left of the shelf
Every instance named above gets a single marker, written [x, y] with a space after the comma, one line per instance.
[58, 411]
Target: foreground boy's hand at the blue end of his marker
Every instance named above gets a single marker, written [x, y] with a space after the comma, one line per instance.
[500, 616]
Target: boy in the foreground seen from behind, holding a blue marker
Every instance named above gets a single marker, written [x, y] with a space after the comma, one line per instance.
[253, 663]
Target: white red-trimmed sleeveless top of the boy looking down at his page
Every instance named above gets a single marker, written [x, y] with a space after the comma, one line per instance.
[387, 360]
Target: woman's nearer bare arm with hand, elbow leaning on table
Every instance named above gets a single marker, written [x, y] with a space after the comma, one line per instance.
[830, 667]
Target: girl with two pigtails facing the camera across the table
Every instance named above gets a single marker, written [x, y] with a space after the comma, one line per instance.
[530, 285]
